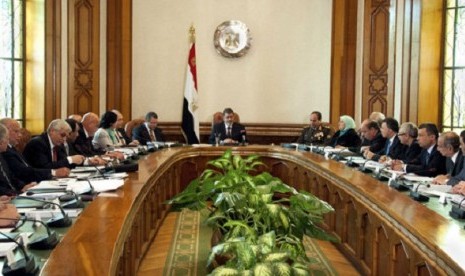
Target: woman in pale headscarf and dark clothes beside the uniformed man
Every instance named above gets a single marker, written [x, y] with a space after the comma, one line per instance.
[346, 136]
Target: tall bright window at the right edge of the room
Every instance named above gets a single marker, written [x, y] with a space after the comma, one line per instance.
[454, 67]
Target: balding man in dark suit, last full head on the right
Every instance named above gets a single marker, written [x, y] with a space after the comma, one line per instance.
[449, 147]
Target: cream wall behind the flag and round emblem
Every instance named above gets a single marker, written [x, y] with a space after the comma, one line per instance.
[284, 76]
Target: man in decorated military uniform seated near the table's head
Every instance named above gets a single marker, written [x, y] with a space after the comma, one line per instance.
[316, 133]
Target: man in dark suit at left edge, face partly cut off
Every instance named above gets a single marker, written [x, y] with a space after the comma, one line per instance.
[9, 184]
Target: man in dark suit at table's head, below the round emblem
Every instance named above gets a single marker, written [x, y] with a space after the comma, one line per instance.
[227, 131]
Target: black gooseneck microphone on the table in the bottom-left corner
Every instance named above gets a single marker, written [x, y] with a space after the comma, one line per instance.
[26, 266]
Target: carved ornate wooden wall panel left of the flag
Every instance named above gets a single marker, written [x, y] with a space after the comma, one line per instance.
[83, 56]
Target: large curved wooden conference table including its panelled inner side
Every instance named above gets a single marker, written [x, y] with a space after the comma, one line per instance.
[382, 231]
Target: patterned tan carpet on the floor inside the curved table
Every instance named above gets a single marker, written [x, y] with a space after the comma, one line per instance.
[191, 244]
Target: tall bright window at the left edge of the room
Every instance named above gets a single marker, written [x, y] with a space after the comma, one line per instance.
[12, 58]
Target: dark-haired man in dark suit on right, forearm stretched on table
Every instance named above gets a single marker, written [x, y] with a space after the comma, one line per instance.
[430, 162]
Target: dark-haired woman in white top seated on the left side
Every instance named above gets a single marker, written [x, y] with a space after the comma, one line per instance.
[105, 138]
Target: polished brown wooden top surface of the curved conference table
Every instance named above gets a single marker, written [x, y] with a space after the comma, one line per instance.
[95, 243]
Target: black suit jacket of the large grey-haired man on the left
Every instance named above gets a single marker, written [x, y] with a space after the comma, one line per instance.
[38, 153]
